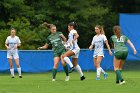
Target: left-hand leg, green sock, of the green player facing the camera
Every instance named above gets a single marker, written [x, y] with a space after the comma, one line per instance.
[54, 71]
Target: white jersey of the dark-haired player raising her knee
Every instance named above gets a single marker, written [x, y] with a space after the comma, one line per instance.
[71, 37]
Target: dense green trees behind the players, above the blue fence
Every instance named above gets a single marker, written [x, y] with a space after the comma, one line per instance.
[27, 17]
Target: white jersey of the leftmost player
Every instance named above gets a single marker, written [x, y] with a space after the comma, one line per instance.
[12, 41]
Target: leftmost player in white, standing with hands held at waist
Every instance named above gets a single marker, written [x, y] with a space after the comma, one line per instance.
[12, 43]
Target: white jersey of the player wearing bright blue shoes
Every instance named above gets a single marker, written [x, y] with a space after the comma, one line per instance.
[98, 42]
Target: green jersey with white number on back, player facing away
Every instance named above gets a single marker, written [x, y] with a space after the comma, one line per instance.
[119, 44]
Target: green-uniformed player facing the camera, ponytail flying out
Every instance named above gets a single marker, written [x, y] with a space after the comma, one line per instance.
[55, 39]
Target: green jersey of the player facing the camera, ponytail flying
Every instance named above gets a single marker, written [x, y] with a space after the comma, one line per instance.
[56, 42]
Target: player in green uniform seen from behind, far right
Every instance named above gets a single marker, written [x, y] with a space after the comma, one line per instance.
[120, 52]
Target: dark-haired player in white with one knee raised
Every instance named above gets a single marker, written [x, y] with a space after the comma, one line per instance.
[74, 51]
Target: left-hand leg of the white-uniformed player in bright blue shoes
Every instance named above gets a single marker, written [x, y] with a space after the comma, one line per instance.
[97, 62]
